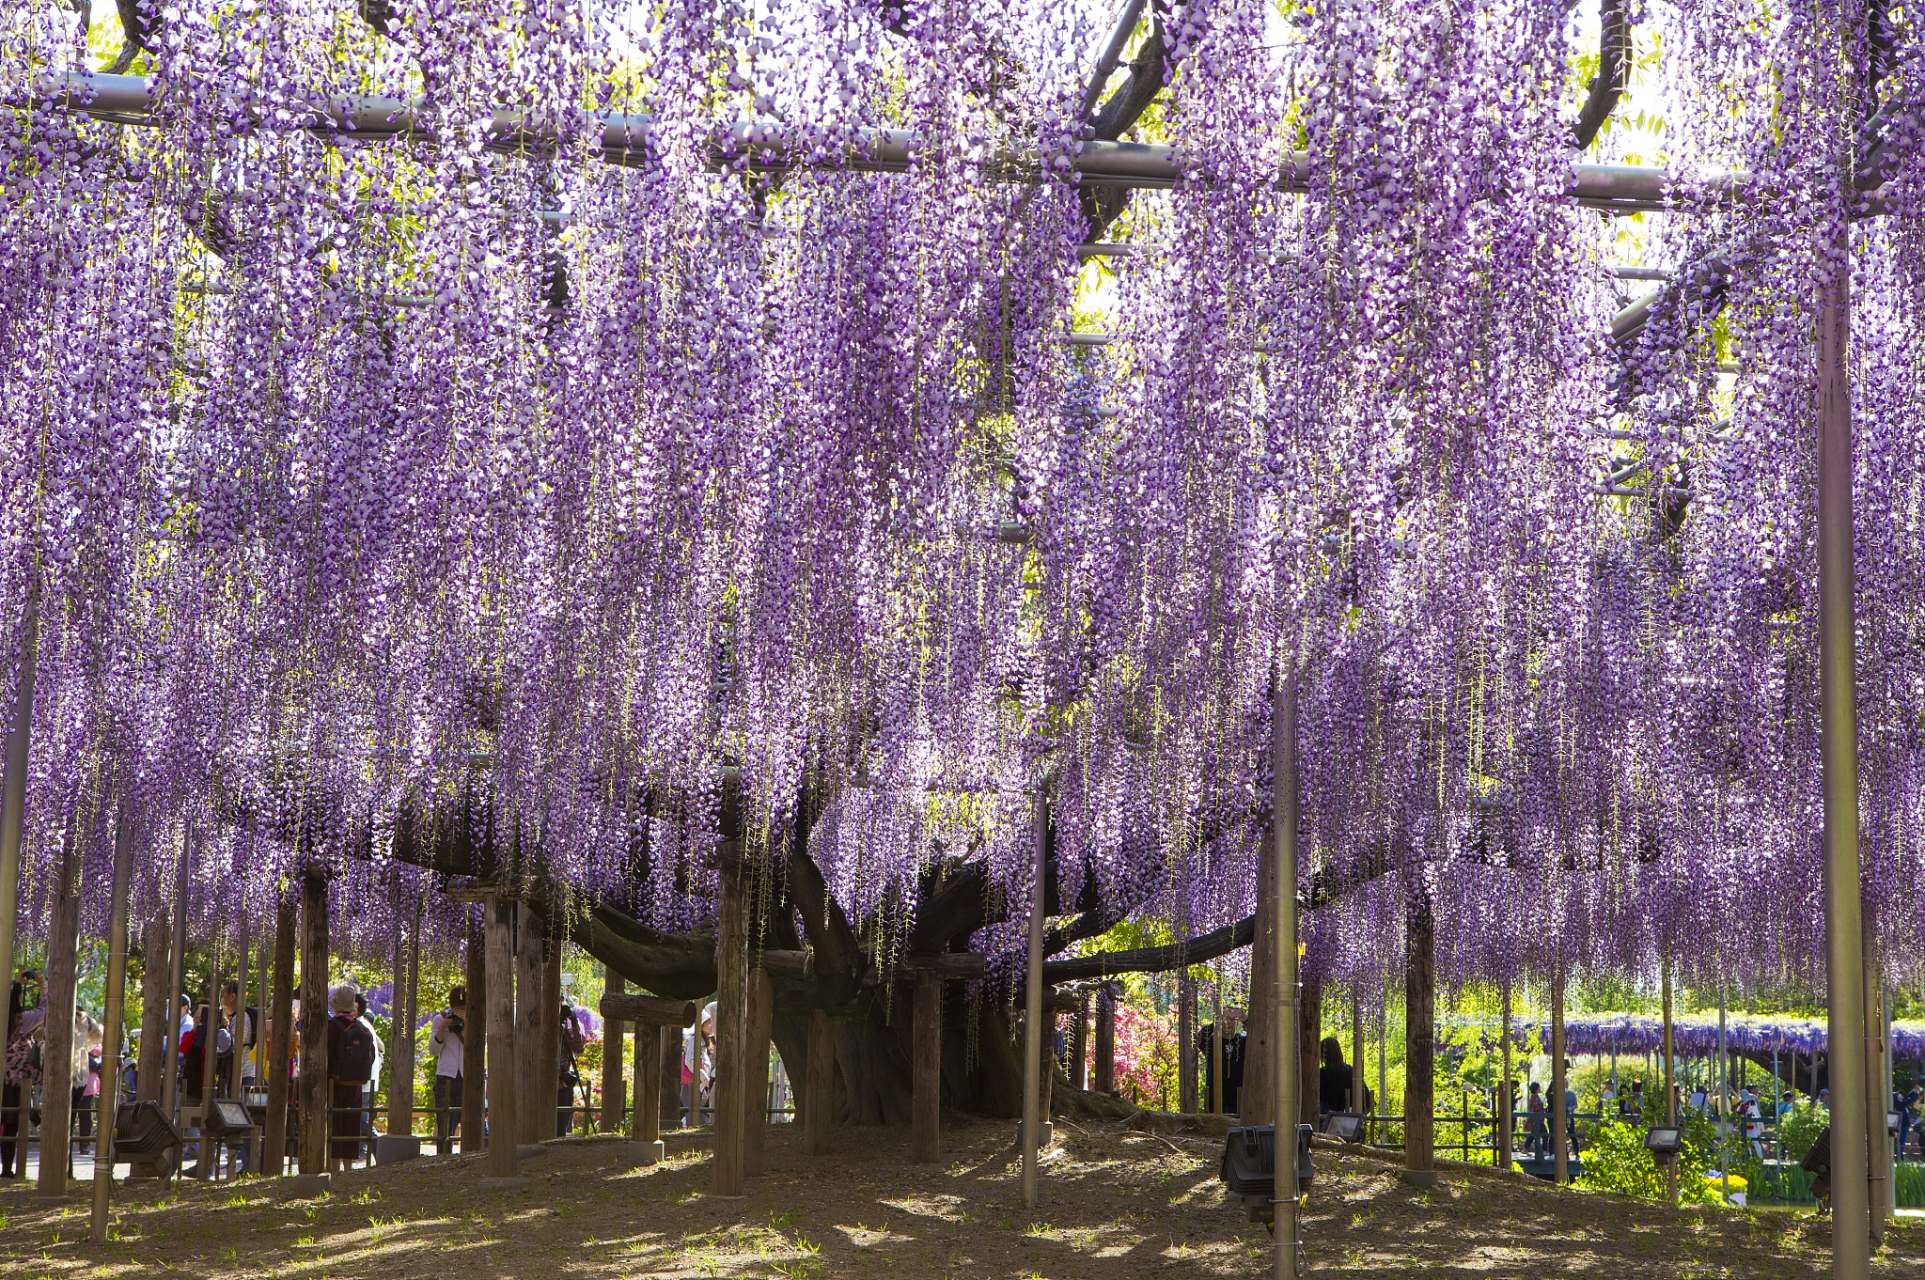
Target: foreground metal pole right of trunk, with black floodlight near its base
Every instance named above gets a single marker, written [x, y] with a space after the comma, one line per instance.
[1285, 998]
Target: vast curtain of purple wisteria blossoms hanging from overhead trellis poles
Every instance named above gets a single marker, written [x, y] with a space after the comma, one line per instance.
[602, 424]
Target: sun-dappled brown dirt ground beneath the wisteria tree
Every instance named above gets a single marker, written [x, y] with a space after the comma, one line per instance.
[1117, 1206]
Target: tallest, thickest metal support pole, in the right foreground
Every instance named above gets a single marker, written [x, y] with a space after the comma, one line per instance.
[1845, 938]
